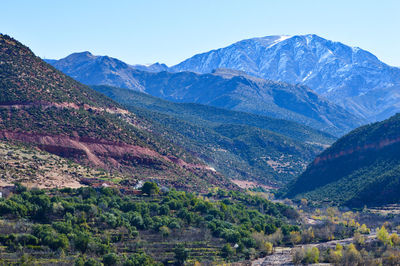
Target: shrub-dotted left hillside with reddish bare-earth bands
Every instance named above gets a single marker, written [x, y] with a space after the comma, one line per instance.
[43, 107]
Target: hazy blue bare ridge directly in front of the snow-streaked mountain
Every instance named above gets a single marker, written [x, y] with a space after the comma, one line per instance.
[237, 91]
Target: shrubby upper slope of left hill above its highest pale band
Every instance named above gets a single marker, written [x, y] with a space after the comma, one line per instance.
[25, 78]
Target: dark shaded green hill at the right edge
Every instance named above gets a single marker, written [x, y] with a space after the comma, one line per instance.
[361, 168]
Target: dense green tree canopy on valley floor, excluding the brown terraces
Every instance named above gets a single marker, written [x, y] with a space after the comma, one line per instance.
[93, 221]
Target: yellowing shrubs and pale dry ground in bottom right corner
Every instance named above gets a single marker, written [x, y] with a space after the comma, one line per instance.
[343, 237]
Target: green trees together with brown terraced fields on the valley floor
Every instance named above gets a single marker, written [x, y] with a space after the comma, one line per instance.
[88, 226]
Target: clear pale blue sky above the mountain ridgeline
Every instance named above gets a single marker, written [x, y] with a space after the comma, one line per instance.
[169, 31]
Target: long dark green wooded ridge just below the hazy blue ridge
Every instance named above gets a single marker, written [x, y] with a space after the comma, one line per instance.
[203, 115]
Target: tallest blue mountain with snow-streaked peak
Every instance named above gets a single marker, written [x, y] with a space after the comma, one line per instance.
[348, 76]
